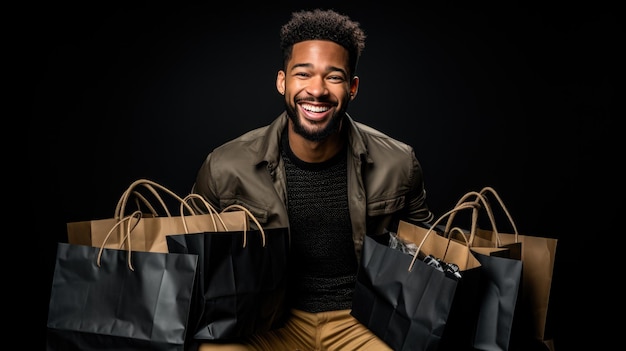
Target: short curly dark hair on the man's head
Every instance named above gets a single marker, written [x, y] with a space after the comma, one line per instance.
[321, 24]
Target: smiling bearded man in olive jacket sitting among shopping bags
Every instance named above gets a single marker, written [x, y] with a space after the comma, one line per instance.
[329, 179]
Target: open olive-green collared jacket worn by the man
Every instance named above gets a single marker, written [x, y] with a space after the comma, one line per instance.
[385, 181]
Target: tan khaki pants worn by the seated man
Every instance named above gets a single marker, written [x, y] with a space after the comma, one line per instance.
[325, 331]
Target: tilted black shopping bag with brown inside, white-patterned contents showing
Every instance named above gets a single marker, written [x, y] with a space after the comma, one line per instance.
[406, 300]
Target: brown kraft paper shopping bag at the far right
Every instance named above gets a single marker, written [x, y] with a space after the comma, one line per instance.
[538, 254]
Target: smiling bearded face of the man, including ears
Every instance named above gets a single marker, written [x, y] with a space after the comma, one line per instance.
[317, 88]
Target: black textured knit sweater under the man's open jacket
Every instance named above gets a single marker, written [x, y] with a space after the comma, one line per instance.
[322, 265]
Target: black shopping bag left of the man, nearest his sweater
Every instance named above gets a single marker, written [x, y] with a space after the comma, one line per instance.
[241, 279]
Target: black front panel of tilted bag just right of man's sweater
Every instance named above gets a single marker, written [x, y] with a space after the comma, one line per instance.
[407, 308]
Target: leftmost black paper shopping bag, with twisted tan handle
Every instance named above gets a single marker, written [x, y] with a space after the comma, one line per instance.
[110, 299]
